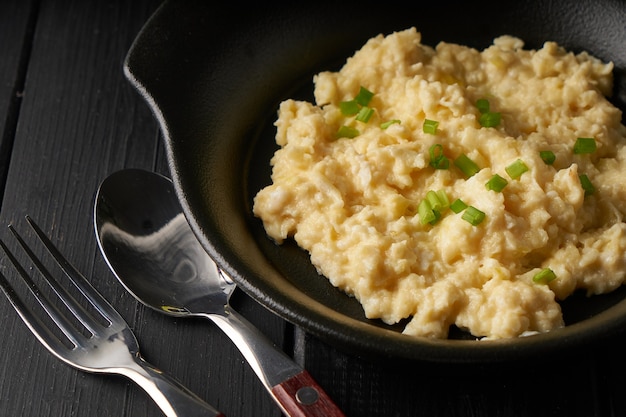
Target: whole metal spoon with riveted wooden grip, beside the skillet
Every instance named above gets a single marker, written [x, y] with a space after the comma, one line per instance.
[148, 244]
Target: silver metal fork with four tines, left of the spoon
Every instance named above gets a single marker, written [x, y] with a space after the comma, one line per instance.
[109, 348]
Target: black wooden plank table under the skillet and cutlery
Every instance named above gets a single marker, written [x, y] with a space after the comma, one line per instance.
[68, 118]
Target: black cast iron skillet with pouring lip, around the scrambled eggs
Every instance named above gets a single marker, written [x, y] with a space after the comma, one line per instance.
[214, 77]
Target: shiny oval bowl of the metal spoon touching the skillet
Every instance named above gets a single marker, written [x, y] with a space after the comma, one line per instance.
[152, 249]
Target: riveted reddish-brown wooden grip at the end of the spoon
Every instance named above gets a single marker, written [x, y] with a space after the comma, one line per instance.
[301, 396]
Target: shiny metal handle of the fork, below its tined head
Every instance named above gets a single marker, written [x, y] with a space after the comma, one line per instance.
[170, 395]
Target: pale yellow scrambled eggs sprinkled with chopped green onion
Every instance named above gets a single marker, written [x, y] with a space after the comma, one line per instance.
[539, 216]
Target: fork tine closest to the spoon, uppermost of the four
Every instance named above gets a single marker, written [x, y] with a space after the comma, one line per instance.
[78, 279]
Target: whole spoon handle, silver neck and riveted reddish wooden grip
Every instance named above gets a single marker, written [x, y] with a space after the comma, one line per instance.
[291, 386]
